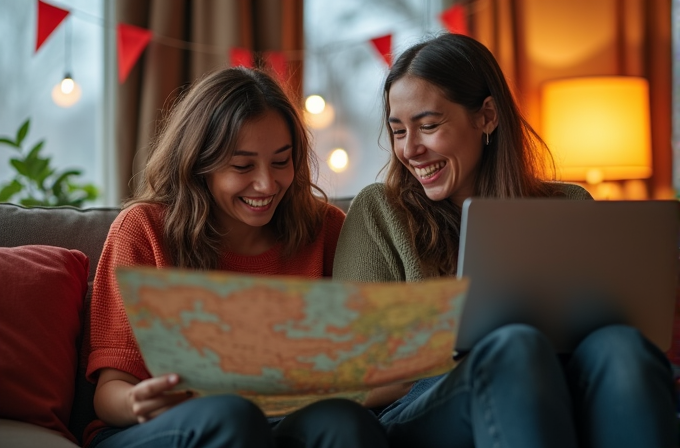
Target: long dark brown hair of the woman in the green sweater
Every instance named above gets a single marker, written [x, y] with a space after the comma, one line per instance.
[514, 163]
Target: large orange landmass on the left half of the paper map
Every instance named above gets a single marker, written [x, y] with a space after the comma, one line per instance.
[250, 342]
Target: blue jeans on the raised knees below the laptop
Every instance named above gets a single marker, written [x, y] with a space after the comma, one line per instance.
[614, 391]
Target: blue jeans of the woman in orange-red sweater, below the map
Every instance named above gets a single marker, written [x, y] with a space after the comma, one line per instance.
[229, 421]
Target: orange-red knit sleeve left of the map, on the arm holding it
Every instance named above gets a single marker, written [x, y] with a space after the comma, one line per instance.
[133, 240]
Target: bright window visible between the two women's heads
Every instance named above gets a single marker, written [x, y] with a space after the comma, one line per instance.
[343, 67]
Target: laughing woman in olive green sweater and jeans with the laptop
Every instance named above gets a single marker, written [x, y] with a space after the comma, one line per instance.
[456, 132]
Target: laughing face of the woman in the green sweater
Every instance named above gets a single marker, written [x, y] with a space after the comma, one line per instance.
[439, 141]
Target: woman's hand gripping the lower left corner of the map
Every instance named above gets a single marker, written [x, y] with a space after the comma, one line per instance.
[154, 396]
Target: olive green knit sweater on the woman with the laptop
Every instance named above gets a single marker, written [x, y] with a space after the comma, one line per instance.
[374, 245]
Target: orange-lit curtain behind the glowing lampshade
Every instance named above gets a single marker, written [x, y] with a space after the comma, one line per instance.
[537, 40]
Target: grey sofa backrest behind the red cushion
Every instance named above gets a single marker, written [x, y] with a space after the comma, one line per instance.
[71, 228]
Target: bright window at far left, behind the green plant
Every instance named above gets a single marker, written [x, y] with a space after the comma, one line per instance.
[74, 136]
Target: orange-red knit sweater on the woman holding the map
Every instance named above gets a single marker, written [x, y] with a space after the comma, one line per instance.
[136, 238]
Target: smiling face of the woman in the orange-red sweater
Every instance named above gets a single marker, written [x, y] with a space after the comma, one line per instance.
[251, 184]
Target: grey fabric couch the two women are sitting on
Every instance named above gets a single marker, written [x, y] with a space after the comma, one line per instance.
[71, 228]
